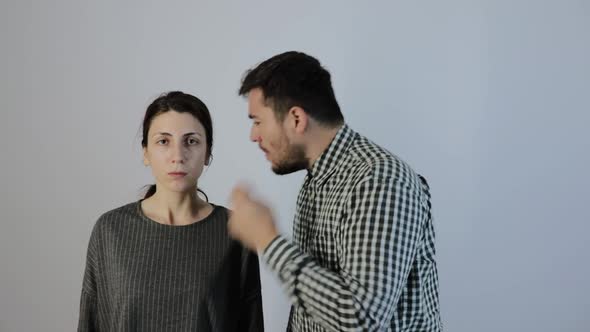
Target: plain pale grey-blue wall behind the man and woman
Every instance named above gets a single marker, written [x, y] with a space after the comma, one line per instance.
[488, 99]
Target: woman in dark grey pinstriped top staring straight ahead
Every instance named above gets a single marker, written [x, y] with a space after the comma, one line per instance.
[166, 262]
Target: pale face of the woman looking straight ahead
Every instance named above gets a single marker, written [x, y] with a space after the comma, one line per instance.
[176, 151]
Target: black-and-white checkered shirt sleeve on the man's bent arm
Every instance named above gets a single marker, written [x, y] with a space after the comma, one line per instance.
[376, 244]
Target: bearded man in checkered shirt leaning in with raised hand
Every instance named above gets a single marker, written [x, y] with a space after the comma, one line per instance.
[362, 256]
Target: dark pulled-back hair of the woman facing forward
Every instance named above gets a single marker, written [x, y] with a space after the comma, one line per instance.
[182, 103]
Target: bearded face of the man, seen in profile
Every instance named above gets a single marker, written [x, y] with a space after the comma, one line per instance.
[270, 134]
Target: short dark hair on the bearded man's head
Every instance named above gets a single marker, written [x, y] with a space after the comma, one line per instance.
[295, 79]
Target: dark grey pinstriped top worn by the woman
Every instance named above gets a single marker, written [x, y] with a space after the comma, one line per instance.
[145, 276]
